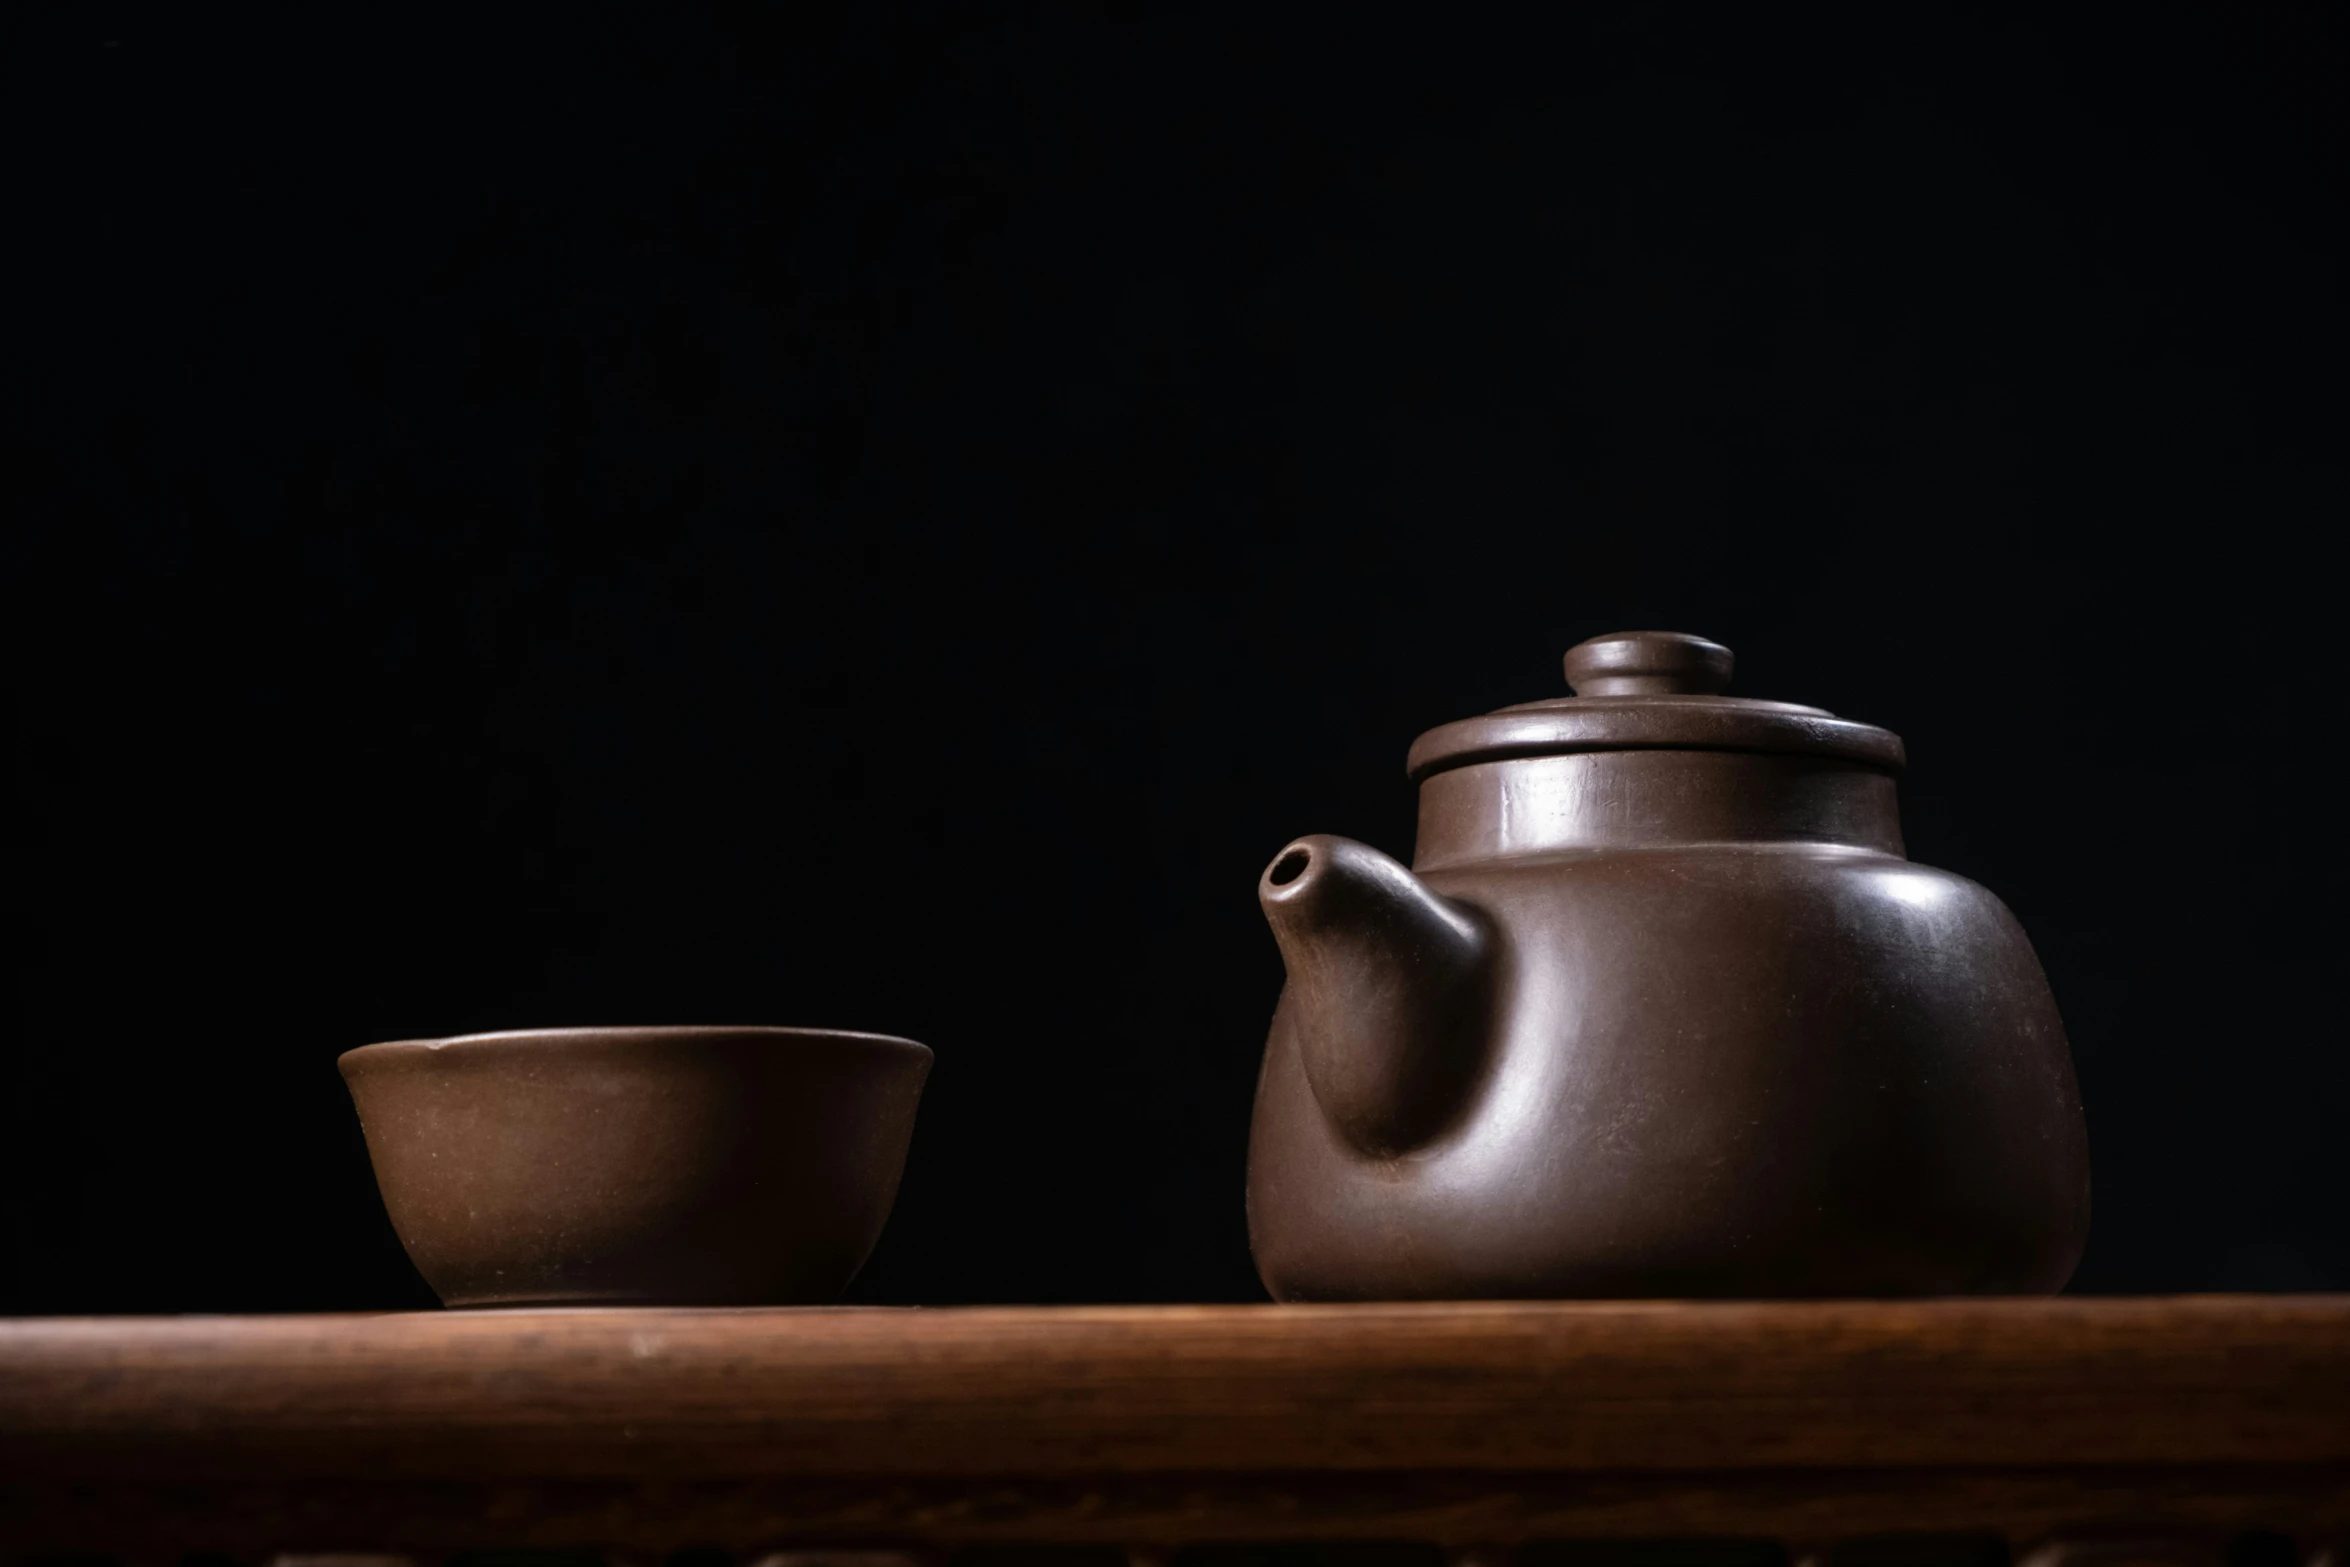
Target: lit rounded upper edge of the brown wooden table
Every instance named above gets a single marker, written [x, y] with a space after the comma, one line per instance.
[1186, 1390]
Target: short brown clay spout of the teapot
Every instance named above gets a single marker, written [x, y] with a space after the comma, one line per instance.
[1388, 990]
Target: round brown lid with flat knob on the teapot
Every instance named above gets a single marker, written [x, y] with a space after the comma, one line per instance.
[1651, 692]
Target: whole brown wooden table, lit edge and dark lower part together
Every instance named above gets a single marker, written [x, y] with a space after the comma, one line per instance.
[2154, 1427]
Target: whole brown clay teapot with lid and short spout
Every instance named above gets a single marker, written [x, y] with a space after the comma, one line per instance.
[1660, 1009]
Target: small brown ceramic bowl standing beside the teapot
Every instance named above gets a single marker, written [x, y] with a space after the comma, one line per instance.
[638, 1166]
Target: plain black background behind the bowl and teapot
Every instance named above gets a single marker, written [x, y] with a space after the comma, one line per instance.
[892, 518]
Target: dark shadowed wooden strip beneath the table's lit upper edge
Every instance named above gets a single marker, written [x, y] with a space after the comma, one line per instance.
[659, 1516]
